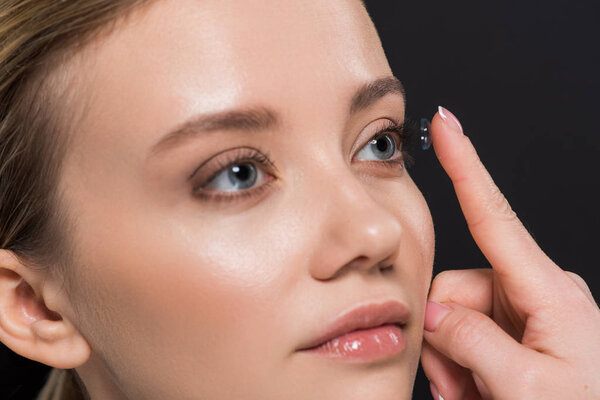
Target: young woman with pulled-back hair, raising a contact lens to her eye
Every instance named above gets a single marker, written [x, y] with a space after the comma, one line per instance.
[197, 194]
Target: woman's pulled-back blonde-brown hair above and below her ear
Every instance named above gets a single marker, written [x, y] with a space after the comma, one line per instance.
[36, 37]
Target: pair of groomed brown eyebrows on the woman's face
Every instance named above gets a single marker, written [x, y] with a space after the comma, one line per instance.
[262, 118]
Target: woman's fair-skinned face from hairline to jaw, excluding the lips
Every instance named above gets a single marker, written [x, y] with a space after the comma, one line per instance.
[205, 286]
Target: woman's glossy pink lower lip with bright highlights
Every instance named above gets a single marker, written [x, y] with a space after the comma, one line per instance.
[364, 345]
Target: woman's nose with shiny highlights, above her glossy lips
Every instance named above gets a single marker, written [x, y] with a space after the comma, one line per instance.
[355, 231]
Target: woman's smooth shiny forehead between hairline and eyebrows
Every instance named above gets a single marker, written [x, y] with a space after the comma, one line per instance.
[174, 59]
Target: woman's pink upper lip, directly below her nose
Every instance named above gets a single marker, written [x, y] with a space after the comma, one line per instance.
[362, 317]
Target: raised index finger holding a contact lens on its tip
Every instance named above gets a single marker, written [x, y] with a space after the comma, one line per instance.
[497, 230]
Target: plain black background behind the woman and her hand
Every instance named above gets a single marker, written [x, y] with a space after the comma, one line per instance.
[522, 77]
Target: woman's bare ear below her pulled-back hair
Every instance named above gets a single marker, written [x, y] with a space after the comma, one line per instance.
[27, 326]
